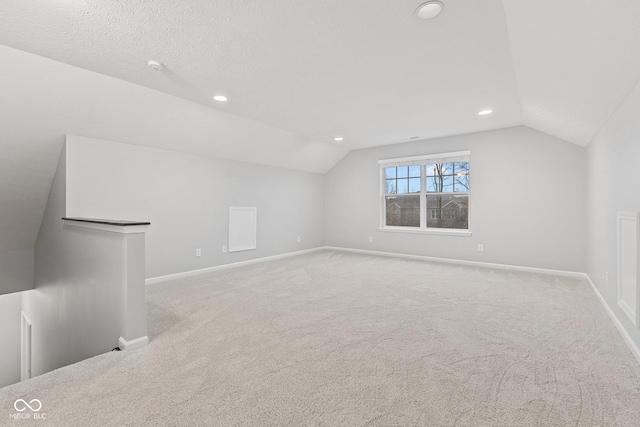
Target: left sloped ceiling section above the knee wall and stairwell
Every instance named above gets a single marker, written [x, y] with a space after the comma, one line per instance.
[42, 100]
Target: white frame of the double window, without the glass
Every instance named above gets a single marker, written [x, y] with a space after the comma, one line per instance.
[422, 161]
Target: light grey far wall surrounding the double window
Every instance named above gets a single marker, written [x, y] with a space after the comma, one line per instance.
[527, 201]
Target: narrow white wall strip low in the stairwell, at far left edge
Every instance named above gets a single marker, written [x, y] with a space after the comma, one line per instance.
[10, 306]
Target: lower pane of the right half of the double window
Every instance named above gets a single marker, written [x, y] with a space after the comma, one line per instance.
[448, 211]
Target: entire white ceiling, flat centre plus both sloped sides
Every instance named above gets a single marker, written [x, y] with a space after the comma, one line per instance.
[297, 74]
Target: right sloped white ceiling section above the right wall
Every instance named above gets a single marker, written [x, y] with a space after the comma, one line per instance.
[575, 61]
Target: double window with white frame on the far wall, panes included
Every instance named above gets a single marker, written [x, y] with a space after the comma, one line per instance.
[426, 193]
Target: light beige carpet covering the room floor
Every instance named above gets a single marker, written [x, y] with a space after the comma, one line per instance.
[338, 339]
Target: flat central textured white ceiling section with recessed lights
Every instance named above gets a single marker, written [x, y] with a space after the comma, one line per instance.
[367, 70]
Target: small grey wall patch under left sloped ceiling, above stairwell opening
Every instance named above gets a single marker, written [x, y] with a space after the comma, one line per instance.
[16, 270]
